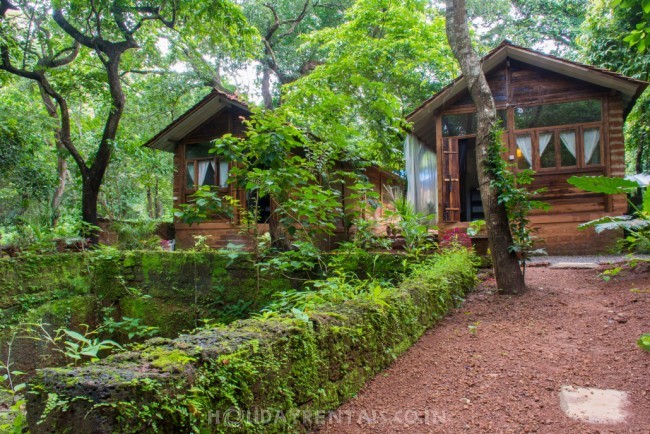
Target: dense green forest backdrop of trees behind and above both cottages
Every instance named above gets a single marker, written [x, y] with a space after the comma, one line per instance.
[86, 83]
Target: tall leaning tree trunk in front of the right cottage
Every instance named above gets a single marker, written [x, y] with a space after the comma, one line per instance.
[508, 274]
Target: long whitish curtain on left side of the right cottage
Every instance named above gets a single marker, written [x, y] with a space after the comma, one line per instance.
[421, 176]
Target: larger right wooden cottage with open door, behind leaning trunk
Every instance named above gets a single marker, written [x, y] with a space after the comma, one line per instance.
[561, 119]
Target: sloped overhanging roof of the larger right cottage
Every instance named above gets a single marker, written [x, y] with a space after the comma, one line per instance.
[630, 88]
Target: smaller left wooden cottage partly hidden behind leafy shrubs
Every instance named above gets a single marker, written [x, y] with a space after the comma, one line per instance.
[189, 137]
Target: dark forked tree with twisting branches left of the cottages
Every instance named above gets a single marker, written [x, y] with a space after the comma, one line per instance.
[109, 33]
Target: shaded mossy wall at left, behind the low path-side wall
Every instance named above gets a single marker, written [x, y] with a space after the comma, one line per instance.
[170, 290]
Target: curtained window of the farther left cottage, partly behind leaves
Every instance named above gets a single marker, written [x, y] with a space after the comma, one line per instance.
[202, 168]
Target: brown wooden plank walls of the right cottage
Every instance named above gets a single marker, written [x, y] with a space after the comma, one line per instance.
[525, 85]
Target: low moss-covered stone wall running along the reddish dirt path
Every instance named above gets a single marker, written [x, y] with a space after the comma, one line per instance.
[278, 365]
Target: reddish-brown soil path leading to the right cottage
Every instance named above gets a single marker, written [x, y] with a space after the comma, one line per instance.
[497, 364]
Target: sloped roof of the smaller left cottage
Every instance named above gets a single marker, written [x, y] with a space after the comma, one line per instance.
[210, 105]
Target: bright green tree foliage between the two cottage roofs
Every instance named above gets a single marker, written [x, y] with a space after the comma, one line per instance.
[378, 65]
